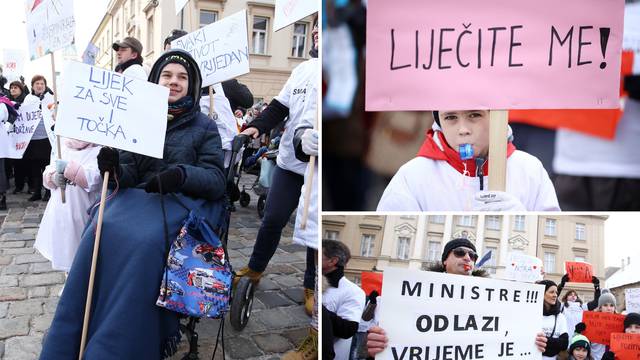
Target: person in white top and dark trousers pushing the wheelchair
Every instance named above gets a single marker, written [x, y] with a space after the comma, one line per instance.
[288, 176]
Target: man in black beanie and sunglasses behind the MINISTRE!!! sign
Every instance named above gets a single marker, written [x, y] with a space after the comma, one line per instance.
[458, 257]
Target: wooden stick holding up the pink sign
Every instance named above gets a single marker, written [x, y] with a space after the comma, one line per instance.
[498, 129]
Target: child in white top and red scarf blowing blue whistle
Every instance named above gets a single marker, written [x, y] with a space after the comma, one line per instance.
[450, 172]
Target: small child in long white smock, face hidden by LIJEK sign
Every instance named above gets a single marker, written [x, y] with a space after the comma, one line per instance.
[62, 224]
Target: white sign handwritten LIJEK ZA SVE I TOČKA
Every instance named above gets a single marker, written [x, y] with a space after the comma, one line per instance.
[111, 109]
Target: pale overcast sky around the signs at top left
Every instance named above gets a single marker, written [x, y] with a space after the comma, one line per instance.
[14, 36]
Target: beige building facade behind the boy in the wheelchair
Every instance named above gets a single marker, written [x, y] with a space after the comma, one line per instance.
[273, 55]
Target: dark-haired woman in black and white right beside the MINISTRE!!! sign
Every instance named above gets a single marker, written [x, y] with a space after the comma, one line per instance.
[554, 323]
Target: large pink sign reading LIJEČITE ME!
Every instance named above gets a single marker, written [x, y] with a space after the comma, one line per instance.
[493, 54]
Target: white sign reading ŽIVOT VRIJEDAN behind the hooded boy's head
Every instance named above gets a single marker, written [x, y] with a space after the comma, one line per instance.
[220, 48]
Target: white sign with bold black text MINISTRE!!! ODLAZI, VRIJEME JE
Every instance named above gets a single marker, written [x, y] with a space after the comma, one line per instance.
[430, 315]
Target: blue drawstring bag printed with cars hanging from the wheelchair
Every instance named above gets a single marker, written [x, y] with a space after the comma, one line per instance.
[197, 278]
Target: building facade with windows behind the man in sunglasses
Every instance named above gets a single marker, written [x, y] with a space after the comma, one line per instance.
[416, 242]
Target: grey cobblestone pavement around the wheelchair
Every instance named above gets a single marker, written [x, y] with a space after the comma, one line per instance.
[29, 289]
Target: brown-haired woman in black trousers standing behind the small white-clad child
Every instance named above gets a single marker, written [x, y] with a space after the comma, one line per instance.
[38, 151]
